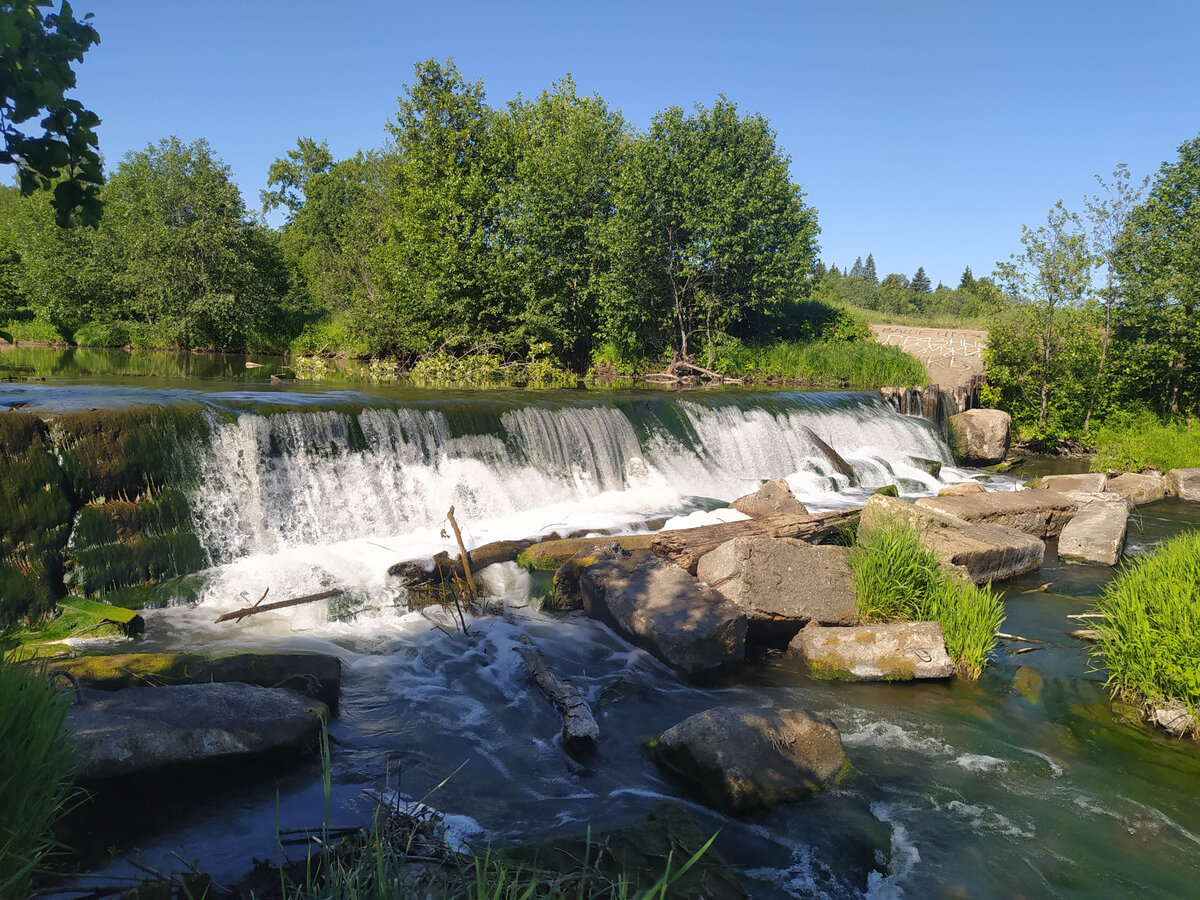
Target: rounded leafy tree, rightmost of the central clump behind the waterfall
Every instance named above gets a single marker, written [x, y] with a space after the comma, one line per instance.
[711, 235]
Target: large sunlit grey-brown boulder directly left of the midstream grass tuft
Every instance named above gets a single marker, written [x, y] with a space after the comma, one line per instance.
[782, 584]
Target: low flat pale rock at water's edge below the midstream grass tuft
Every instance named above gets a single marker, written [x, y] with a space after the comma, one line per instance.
[893, 652]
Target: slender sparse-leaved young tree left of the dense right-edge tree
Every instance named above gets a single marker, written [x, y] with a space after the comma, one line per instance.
[1053, 272]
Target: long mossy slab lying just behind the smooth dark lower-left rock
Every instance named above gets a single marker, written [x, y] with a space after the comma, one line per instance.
[317, 675]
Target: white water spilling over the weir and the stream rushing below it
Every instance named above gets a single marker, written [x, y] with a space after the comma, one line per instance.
[1021, 785]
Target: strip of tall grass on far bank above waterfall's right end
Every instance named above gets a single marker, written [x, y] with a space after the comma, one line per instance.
[825, 364]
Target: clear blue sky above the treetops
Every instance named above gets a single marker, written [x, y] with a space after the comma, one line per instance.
[926, 133]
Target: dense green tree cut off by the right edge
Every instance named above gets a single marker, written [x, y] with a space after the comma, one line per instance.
[1159, 261]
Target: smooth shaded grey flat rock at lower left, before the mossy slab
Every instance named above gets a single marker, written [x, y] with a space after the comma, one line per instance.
[145, 730]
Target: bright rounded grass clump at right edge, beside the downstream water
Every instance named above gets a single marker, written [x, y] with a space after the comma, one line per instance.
[1150, 638]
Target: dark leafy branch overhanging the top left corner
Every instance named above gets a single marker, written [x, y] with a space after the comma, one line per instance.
[37, 52]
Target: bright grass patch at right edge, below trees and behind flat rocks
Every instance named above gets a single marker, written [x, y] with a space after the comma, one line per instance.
[1141, 442]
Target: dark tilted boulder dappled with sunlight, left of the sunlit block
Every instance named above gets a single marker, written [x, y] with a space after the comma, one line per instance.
[661, 608]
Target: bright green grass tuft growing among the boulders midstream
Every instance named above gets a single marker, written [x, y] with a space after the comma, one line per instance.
[896, 579]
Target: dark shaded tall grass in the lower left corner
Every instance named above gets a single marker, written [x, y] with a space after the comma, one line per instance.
[37, 760]
